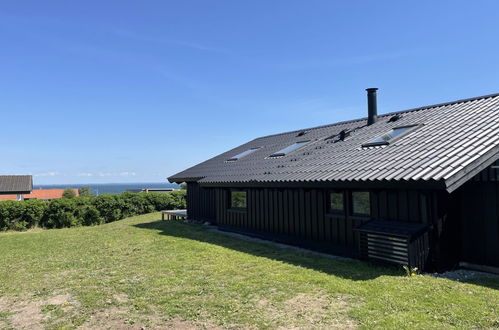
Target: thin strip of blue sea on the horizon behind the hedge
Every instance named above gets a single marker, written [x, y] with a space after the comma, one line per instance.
[112, 188]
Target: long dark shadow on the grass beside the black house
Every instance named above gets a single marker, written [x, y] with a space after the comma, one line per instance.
[344, 268]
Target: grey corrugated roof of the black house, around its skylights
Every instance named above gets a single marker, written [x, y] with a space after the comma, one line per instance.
[456, 140]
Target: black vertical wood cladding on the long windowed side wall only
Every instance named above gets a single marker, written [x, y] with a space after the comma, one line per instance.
[302, 214]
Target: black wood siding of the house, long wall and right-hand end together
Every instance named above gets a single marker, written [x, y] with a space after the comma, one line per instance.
[464, 225]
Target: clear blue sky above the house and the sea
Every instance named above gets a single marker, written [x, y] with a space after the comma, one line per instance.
[134, 91]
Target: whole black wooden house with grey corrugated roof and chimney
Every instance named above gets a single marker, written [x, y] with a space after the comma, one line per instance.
[418, 187]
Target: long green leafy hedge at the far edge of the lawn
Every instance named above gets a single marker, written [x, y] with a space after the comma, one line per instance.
[85, 211]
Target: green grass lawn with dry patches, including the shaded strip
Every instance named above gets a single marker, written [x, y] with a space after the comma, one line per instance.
[143, 272]
